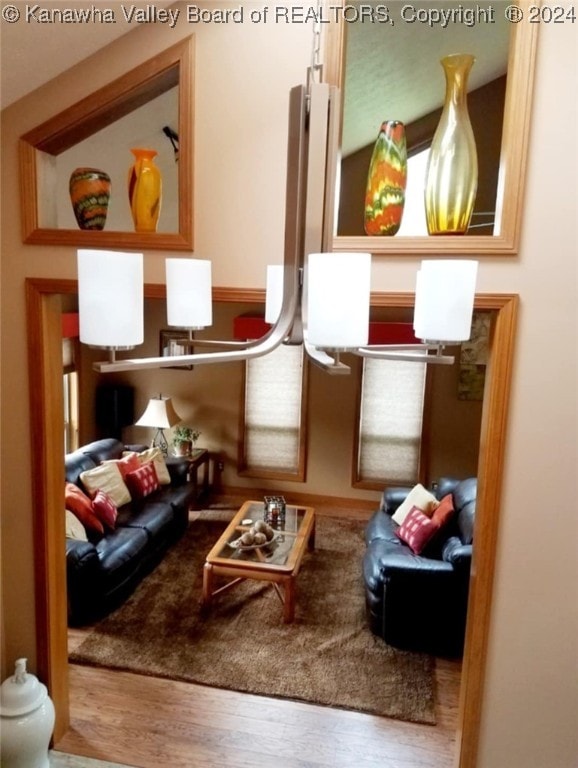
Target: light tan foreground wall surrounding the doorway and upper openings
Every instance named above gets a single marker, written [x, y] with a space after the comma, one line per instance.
[529, 701]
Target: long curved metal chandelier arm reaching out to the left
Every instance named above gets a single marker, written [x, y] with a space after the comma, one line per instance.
[293, 249]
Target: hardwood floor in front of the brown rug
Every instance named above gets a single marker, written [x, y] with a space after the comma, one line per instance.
[145, 722]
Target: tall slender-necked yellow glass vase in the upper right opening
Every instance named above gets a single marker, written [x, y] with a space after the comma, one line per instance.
[452, 173]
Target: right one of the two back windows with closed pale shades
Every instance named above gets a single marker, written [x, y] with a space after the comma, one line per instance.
[390, 422]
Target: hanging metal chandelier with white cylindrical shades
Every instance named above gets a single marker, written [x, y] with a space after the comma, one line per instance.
[318, 298]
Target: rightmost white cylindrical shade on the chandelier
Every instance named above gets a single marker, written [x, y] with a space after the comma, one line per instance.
[444, 300]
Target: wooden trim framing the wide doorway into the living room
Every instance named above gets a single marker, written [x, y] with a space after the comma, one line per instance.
[46, 417]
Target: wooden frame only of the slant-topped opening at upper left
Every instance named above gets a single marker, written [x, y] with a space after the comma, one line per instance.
[170, 68]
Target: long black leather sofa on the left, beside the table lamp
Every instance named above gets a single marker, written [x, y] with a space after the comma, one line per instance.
[102, 572]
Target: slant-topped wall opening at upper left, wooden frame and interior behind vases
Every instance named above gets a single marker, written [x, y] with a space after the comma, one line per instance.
[161, 87]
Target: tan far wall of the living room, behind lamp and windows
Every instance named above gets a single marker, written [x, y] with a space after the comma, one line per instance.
[209, 398]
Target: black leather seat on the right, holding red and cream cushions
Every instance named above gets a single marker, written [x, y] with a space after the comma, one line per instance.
[419, 602]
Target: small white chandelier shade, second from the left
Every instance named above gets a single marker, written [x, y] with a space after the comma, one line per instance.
[189, 301]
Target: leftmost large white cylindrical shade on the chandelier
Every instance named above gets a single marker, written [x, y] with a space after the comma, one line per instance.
[110, 298]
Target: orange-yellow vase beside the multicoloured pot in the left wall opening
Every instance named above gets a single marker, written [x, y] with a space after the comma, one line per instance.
[145, 190]
